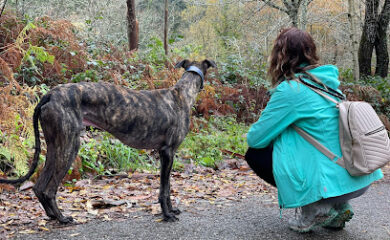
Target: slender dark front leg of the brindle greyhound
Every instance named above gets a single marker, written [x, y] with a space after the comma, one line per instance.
[166, 159]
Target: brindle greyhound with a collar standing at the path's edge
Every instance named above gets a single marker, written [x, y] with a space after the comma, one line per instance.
[157, 119]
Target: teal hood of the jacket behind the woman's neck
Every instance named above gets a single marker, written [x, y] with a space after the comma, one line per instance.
[328, 74]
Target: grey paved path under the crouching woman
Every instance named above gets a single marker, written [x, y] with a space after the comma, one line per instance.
[253, 218]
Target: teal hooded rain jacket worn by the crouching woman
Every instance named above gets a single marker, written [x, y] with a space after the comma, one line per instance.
[304, 175]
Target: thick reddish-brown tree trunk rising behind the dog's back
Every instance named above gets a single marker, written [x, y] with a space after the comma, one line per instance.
[132, 25]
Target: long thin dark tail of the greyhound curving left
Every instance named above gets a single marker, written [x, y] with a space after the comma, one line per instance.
[37, 111]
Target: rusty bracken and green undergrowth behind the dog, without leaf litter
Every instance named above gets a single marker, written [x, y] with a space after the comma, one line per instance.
[37, 55]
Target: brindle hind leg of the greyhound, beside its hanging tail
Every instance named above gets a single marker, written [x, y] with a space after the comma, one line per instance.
[62, 136]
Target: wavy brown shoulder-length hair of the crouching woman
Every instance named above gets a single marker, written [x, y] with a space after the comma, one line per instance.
[291, 48]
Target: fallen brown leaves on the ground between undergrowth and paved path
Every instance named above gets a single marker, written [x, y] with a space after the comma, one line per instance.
[126, 196]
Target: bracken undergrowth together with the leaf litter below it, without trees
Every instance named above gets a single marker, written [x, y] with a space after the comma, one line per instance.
[109, 180]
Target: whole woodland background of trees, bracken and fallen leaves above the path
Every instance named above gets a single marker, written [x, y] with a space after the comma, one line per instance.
[136, 43]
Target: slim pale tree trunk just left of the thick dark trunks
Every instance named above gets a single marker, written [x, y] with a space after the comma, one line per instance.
[353, 36]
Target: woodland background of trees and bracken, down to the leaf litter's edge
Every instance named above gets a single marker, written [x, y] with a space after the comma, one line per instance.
[137, 43]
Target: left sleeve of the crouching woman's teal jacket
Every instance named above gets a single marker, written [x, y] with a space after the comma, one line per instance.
[279, 113]
